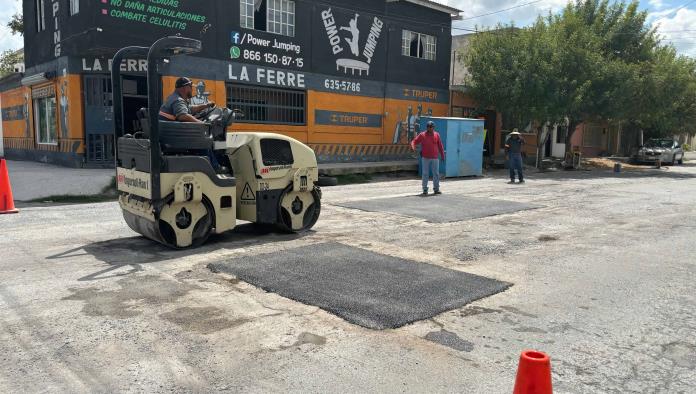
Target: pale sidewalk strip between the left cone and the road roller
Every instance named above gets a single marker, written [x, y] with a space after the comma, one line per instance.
[31, 180]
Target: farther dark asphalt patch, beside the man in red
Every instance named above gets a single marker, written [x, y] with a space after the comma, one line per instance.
[444, 208]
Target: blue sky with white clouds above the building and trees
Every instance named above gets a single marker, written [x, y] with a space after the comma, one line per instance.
[676, 18]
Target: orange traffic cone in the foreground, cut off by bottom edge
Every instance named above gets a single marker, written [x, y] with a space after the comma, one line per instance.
[533, 374]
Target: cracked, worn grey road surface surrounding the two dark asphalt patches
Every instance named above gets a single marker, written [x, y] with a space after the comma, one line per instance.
[603, 281]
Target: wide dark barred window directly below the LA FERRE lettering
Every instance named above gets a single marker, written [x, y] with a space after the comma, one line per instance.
[268, 105]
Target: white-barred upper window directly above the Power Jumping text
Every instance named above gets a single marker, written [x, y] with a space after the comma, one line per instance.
[273, 16]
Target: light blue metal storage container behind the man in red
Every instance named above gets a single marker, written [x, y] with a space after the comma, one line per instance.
[463, 141]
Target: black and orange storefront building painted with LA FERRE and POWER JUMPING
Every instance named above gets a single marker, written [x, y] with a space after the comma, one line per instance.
[349, 78]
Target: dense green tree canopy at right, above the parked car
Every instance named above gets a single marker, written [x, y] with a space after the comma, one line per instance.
[595, 60]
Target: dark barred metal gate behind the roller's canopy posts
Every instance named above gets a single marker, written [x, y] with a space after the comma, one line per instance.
[99, 119]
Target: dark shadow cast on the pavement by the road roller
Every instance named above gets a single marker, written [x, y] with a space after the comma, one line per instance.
[136, 251]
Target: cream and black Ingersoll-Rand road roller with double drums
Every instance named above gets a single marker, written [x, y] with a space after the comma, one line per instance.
[171, 190]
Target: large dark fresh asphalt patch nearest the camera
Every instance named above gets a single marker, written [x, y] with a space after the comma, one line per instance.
[365, 288]
